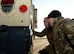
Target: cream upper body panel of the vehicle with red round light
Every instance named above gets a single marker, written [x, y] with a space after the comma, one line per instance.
[16, 13]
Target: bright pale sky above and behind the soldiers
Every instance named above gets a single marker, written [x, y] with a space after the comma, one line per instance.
[44, 7]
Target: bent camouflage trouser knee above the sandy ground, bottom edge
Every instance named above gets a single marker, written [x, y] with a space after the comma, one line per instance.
[47, 50]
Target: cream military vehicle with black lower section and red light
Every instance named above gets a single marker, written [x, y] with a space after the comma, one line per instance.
[16, 18]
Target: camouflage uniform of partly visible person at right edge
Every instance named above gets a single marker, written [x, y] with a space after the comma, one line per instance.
[70, 35]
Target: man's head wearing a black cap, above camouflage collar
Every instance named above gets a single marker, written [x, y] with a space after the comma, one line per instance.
[52, 15]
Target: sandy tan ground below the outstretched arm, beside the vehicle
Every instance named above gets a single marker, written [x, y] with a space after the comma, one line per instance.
[39, 43]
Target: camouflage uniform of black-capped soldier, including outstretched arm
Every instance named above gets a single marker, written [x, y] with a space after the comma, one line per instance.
[56, 38]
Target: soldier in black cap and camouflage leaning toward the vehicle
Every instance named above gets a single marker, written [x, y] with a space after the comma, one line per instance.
[58, 44]
